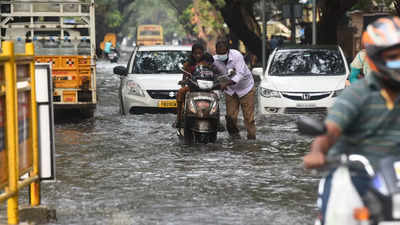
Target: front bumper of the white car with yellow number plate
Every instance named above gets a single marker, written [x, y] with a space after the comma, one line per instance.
[139, 104]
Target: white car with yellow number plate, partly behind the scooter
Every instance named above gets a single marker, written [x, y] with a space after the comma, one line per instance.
[149, 83]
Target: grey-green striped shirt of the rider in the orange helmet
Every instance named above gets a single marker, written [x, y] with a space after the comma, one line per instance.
[369, 121]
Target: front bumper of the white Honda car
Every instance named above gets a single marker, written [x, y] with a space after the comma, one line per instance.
[287, 106]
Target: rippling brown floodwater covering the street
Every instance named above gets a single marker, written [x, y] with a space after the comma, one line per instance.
[132, 170]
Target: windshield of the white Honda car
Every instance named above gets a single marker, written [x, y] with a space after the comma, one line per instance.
[307, 62]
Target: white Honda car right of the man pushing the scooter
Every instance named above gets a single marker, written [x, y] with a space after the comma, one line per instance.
[301, 79]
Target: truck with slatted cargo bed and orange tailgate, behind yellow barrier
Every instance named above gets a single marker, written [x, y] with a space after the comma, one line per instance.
[63, 33]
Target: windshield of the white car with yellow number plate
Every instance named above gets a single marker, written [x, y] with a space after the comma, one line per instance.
[159, 61]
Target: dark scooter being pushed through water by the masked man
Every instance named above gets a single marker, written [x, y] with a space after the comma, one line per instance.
[201, 111]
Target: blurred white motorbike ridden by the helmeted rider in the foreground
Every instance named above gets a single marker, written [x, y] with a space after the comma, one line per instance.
[379, 206]
